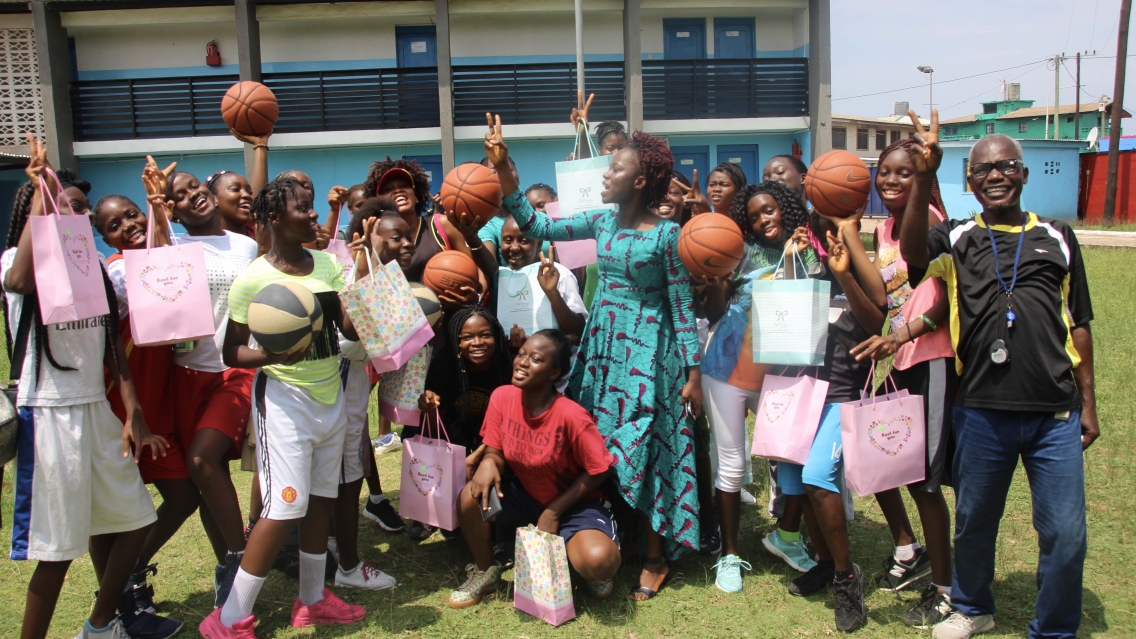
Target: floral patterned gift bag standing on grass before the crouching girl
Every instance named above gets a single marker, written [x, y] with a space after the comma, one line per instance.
[542, 586]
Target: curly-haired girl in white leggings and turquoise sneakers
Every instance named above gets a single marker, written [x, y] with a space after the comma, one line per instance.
[773, 221]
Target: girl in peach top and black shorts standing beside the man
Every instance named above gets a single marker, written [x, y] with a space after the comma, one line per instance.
[918, 345]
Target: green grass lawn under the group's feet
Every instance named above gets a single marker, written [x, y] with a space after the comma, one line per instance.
[691, 607]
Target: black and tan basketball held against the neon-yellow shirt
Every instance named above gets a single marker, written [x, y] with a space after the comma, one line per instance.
[285, 316]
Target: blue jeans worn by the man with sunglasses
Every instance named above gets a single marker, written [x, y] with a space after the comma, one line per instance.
[989, 445]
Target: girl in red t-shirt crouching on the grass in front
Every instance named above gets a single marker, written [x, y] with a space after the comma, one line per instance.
[557, 461]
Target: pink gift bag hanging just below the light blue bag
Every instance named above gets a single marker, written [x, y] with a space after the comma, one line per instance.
[788, 418]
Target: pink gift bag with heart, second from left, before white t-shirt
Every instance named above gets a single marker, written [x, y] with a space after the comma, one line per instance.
[169, 292]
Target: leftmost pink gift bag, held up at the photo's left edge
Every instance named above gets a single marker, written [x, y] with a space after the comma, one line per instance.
[69, 276]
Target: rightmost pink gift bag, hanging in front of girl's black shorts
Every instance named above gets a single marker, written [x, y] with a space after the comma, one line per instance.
[886, 442]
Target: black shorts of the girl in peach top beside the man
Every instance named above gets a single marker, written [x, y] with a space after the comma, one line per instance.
[938, 383]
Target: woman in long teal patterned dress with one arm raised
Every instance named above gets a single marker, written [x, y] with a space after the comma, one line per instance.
[639, 359]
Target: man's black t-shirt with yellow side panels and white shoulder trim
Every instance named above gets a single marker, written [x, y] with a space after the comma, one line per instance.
[1050, 298]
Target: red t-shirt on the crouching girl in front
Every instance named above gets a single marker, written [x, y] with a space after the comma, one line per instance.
[550, 452]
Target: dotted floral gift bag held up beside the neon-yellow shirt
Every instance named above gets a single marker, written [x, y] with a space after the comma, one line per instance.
[387, 314]
